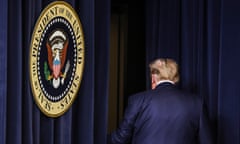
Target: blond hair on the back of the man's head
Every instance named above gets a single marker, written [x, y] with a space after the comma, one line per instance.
[165, 69]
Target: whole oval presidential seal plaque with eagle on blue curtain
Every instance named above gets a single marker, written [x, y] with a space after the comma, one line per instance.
[56, 58]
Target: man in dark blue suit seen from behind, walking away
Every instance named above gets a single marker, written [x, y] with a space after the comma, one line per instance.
[163, 115]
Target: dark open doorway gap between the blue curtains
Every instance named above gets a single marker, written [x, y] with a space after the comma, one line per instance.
[127, 56]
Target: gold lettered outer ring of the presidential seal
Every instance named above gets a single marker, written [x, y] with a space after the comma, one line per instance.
[56, 9]
